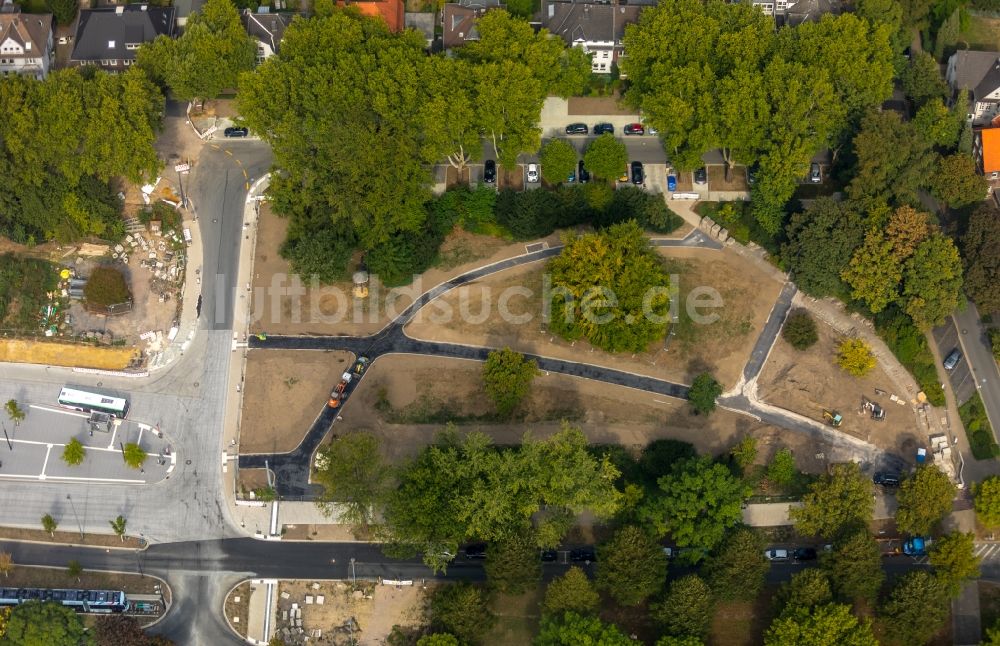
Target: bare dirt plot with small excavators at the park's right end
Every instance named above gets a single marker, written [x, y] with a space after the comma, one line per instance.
[808, 382]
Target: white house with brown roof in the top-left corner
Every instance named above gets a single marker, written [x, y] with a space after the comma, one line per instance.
[25, 42]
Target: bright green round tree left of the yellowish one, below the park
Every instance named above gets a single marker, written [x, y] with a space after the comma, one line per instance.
[700, 500]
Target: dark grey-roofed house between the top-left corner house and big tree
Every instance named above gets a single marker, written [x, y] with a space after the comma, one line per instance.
[110, 36]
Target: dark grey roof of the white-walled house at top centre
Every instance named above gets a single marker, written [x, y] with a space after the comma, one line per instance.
[577, 22]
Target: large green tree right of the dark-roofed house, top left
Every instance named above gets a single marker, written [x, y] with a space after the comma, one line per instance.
[207, 58]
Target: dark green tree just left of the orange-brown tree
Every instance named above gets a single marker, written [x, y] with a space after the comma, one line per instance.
[821, 242]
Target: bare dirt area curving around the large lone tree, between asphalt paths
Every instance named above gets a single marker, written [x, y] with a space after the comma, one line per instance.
[470, 315]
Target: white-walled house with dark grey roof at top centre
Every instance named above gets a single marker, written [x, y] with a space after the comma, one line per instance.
[596, 28]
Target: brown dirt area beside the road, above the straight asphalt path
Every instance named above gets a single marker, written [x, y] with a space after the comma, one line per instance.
[331, 309]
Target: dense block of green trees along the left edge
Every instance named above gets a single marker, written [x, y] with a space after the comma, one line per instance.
[97, 129]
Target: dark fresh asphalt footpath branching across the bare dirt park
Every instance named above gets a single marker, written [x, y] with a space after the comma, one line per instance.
[291, 470]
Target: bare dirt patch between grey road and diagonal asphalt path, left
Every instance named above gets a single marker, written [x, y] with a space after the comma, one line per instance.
[301, 380]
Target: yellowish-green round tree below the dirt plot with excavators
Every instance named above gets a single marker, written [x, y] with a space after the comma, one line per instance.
[839, 500]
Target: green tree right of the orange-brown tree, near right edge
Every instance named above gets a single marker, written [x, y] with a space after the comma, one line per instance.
[932, 282]
